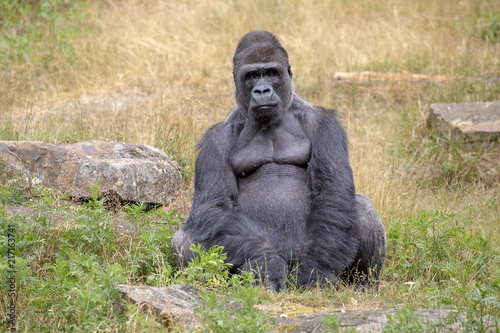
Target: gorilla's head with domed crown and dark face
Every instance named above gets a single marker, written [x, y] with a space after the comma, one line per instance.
[263, 77]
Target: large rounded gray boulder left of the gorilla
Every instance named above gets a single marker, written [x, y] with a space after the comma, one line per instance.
[126, 171]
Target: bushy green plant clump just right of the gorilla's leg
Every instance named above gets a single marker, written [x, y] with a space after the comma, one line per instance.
[429, 247]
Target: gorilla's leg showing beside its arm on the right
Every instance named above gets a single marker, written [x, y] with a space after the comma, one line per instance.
[370, 256]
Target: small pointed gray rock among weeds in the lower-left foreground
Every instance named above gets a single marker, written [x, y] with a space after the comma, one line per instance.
[174, 304]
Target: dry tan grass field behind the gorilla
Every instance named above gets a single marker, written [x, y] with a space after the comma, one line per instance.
[159, 72]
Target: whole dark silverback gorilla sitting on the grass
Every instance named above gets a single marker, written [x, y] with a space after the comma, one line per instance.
[274, 187]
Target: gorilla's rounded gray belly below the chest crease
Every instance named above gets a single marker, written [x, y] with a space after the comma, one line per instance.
[276, 196]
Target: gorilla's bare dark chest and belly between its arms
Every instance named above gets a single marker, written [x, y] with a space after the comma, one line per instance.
[272, 178]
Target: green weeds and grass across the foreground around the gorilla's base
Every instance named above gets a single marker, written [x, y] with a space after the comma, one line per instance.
[69, 259]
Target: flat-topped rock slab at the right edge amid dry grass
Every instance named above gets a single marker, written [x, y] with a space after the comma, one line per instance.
[467, 122]
